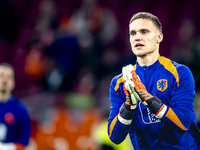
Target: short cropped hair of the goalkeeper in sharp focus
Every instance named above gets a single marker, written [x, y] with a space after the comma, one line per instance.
[149, 16]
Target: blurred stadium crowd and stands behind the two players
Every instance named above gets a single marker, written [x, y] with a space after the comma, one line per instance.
[66, 52]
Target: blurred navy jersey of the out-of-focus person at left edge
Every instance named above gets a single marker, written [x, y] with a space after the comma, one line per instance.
[14, 122]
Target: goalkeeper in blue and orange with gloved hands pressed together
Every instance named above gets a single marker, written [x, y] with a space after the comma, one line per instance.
[153, 100]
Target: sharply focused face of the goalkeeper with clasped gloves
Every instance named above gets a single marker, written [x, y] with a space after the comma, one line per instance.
[144, 37]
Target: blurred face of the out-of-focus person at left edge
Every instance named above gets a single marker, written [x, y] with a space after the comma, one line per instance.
[6, 80]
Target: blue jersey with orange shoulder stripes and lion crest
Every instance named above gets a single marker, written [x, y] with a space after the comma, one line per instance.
[171, 82]
